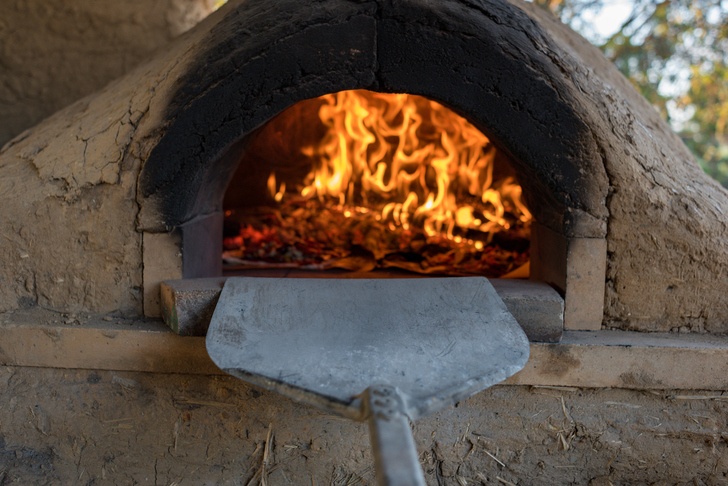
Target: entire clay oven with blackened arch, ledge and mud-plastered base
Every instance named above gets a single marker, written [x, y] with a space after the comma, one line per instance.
[125, 189]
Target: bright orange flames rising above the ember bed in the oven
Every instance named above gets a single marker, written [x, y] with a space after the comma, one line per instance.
[412, 160]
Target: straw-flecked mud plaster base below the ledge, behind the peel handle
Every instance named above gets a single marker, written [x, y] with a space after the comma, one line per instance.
[101, 427]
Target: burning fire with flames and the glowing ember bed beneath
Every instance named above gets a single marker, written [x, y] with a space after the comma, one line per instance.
[394, 176]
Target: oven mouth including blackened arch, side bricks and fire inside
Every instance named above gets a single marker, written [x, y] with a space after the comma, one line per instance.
[220, 156]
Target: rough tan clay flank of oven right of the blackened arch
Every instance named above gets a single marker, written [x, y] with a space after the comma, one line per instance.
[667, 238]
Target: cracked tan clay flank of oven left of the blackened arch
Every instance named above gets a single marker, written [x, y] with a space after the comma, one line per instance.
[67, 199]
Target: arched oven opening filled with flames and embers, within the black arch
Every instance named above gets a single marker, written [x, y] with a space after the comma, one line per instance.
[358, 181]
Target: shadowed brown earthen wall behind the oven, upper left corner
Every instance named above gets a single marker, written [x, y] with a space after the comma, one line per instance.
[53, 52]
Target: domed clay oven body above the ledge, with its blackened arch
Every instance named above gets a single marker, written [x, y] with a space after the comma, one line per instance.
[125, 189]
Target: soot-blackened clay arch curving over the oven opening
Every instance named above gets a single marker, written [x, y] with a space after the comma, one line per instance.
[487, 60]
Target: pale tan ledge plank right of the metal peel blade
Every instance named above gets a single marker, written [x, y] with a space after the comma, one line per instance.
[621, 359]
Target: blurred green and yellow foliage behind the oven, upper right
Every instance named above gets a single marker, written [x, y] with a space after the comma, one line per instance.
[676, 54]
